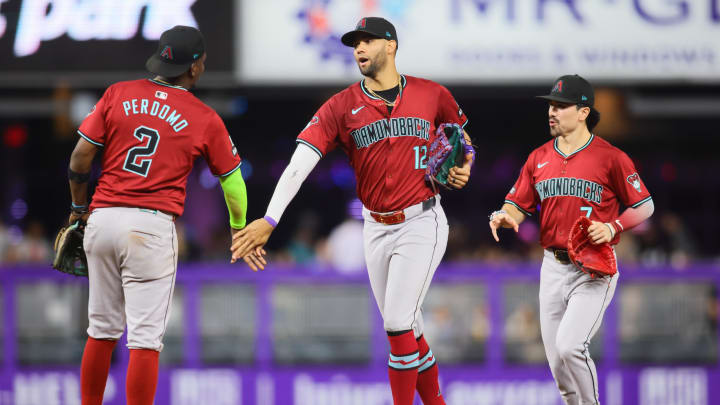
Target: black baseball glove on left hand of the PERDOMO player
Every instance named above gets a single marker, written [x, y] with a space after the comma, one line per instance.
[69, 253]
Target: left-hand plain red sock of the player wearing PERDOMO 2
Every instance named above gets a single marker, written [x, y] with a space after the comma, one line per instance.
[94, 369]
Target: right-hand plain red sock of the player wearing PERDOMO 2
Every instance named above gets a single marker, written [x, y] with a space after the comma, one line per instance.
[141, 377]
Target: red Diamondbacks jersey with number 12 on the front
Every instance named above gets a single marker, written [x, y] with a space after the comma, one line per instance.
[388, 151]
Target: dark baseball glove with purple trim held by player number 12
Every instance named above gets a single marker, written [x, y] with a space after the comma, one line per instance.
[447, 150]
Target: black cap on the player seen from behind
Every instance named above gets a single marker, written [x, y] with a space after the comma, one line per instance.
[178, 48]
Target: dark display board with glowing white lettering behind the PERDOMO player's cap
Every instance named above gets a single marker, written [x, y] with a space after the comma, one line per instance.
[60, 36]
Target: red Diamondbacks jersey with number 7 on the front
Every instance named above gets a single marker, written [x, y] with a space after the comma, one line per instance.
[593, 181]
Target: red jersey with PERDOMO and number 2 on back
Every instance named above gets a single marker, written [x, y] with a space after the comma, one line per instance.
[151, 133]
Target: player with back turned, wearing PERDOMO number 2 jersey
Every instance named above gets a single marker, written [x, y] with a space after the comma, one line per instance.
[150, 132]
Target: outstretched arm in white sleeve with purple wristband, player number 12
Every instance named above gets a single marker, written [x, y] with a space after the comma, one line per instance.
[254, 236]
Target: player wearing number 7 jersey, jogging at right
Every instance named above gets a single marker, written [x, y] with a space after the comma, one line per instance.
[574, 174]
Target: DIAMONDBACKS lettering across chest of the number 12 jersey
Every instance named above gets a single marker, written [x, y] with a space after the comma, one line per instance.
[399, 126]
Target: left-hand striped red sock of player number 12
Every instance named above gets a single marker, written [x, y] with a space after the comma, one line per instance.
[403, 366]
